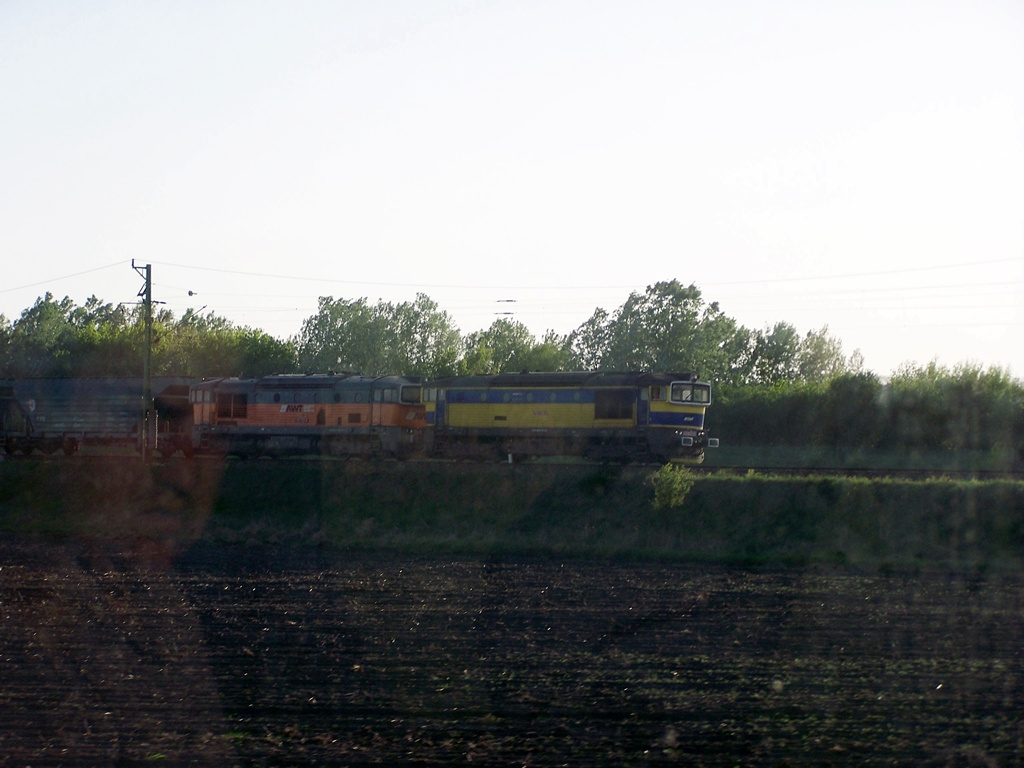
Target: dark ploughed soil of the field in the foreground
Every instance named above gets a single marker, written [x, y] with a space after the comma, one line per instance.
[236, 656]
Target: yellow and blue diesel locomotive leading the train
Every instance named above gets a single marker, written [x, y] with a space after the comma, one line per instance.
[647, 417]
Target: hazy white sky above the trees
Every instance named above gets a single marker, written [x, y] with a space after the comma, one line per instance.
[852, 164]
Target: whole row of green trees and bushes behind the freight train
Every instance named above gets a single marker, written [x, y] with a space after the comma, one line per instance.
[775, 387]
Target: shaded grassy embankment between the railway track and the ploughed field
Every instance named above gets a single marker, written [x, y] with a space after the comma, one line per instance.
[535, 510]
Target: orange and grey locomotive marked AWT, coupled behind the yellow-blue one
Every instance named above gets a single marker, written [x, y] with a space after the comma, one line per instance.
[328, 414]
